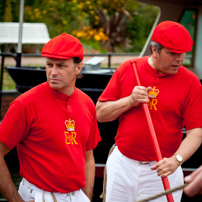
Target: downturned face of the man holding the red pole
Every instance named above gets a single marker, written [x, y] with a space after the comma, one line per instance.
[168, 62]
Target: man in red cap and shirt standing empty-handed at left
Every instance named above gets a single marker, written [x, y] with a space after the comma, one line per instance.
[54, 127]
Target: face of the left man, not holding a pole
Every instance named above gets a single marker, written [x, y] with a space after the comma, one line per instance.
[61, 74]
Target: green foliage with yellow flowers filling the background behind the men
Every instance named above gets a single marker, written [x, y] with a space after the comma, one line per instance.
[114, 25]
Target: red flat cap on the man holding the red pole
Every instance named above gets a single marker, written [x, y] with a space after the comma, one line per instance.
[173, 36]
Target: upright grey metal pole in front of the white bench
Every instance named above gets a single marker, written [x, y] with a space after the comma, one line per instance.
[19, 49]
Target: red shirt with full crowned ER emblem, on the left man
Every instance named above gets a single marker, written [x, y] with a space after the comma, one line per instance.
[52, 132]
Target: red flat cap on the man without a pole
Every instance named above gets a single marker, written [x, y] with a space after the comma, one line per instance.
[64, 46]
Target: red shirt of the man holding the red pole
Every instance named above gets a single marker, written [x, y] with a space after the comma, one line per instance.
[175, 102]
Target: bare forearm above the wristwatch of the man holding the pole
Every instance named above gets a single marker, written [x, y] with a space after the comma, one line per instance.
[190, 144]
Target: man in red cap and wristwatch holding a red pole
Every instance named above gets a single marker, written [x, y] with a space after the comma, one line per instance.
[174, 97]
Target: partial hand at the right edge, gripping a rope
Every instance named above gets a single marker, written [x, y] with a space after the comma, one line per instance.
[195, 183]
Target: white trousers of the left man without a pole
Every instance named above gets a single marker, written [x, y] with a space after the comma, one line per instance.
[30, 192]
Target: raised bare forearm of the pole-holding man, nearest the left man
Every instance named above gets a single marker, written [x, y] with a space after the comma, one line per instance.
[111, 110]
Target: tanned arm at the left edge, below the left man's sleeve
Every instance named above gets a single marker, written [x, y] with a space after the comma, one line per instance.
[6, 184]
